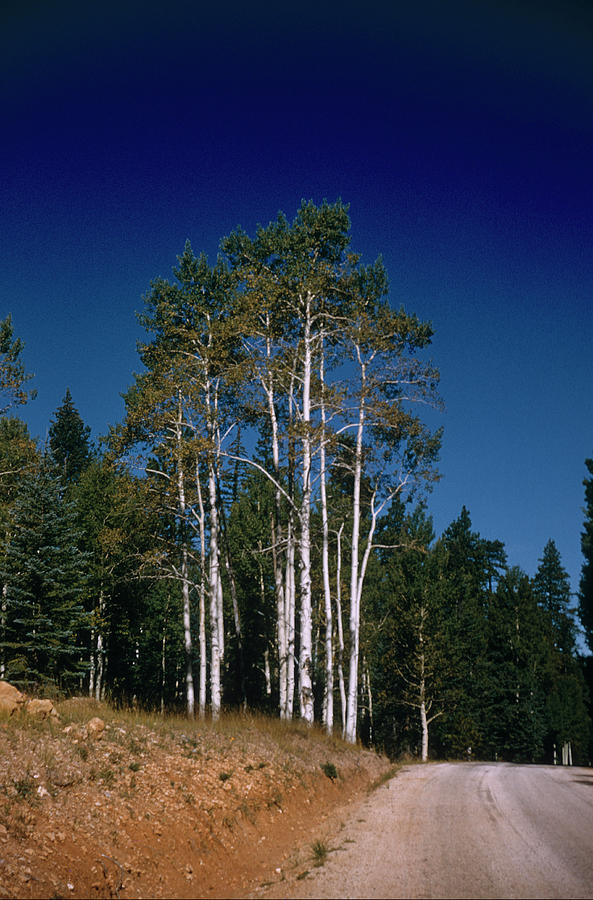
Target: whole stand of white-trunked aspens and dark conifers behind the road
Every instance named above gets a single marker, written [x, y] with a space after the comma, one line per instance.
[256, 532]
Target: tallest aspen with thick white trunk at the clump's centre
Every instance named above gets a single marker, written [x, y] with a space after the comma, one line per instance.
[295, 269]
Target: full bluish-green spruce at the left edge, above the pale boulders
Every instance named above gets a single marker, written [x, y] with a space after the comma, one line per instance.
[44, 572]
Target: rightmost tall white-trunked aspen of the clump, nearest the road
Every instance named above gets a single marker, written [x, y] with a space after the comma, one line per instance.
[396, 450]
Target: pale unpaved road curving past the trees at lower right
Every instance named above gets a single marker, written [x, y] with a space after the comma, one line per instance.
[462, 830]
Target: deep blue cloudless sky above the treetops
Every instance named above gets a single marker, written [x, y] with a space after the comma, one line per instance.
[461, 135]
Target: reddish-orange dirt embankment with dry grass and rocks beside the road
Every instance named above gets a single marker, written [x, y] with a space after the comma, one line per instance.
[157, 807]
